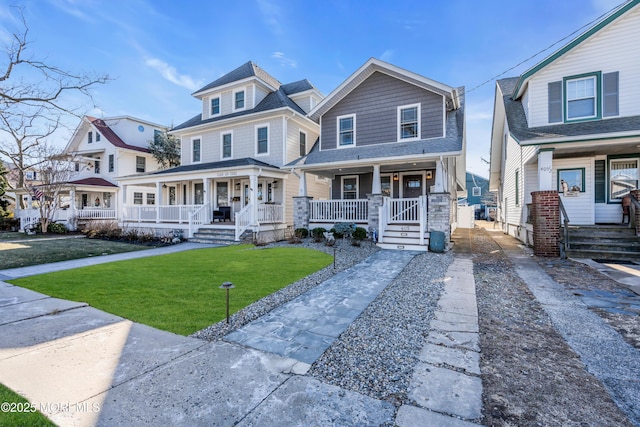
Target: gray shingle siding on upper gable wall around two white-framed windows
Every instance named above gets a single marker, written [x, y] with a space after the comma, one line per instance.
[375, 103]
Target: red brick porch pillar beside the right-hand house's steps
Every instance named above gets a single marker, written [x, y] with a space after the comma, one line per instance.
[545, 214]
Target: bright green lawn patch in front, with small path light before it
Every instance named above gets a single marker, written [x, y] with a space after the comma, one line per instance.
[180, 292]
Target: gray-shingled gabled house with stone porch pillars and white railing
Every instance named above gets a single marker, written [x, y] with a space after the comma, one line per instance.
[392, 144]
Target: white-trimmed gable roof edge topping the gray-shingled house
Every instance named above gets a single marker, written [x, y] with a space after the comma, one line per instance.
[373, 65]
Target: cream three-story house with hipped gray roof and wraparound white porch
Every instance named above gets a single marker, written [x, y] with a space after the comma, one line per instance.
[250, 126]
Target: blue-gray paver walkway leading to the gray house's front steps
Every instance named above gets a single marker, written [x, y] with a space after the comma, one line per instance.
[305, 327]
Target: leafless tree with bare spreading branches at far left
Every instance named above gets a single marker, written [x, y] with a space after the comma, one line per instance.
[35, 96]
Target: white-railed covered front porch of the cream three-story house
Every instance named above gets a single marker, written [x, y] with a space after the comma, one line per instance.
[249, 198]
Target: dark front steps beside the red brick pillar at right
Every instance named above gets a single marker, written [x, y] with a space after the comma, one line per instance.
[603, 242]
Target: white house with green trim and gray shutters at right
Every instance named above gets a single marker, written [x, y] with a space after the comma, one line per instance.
[573, 117]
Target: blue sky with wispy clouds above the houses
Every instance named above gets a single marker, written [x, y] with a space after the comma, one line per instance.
[159, 51]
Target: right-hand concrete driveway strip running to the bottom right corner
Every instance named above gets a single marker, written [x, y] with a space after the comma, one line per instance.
[603, 351]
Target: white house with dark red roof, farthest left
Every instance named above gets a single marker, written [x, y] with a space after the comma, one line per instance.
[101, 151]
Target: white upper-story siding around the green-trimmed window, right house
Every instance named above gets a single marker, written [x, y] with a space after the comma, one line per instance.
[607, 51]
